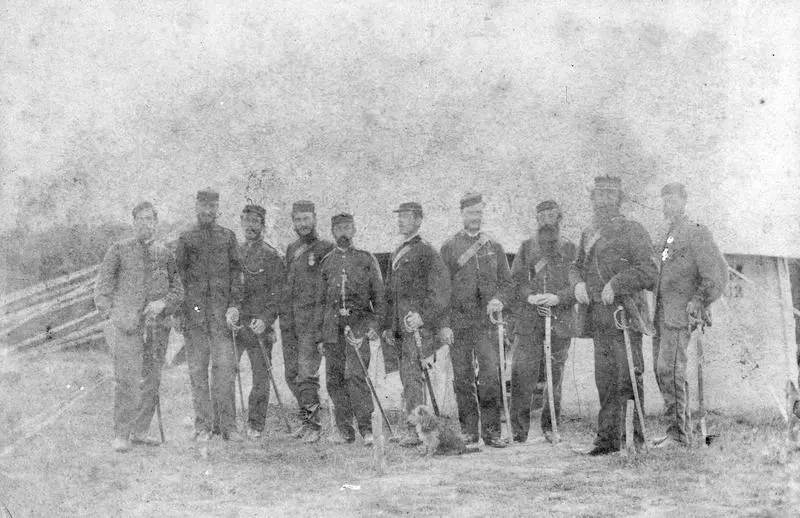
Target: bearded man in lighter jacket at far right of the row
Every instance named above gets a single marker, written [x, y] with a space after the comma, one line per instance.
[693, 275]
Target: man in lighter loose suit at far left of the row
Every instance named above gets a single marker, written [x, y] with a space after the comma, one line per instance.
[137, 287]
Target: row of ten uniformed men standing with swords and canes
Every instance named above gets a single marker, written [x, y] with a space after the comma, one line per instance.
[227, 295]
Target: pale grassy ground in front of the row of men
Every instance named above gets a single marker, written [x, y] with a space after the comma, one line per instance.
[65, 466]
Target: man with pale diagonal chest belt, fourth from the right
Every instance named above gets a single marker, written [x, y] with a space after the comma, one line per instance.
[481, 284]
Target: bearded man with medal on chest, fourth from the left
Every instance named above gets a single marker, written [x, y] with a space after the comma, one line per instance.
[301, 355]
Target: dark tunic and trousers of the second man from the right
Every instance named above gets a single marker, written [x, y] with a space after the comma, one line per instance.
[619, 253]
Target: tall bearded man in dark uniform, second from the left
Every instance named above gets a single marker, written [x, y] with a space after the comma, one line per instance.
[208, 262]
